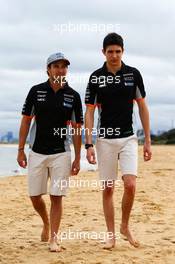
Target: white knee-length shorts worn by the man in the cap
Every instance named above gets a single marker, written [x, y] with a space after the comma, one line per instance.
[41, 167]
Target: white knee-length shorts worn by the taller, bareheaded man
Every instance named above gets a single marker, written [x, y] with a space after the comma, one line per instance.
[110, 151]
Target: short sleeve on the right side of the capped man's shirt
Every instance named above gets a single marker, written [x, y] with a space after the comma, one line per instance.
[77, 113]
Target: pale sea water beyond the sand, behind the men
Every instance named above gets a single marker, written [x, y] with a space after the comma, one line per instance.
[10, 167]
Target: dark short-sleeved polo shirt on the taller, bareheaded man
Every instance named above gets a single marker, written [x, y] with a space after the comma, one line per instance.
[114, 94]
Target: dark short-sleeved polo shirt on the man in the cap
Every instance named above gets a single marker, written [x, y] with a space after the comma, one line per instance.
[53, 112]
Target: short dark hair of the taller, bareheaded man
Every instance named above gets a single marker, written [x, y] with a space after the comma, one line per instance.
[113, 39]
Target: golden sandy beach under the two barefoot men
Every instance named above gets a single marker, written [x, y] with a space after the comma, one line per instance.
[152, 220]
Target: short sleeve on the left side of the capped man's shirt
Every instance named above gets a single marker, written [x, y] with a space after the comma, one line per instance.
[28, 107]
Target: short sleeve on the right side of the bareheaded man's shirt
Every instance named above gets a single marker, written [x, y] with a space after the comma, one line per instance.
[140, 89]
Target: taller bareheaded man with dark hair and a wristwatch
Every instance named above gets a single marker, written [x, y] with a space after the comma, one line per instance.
[113, 88]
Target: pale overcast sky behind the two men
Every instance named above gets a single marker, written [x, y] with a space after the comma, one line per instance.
[32, 30]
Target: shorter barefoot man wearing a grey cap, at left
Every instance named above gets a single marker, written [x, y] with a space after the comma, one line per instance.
[53, 105]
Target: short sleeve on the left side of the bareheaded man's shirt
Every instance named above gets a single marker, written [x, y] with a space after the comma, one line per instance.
[91, 91]
